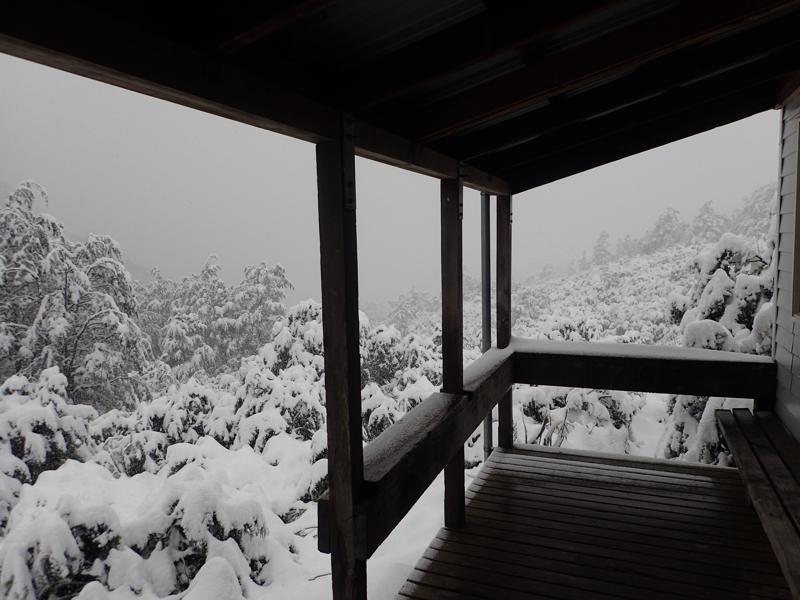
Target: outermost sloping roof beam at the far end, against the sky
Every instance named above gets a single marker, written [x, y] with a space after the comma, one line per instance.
[622, 144]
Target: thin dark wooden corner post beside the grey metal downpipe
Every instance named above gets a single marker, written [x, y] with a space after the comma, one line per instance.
[505, 431]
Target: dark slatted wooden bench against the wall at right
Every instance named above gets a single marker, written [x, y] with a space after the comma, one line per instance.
[768, 459]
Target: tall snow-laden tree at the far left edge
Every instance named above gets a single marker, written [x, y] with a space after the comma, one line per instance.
[69, 305]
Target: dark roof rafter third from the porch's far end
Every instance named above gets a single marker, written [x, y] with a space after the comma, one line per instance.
[605, 59]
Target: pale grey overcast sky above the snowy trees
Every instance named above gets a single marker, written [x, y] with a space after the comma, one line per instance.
[174, 185]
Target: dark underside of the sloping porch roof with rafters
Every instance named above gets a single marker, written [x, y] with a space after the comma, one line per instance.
[521, 93]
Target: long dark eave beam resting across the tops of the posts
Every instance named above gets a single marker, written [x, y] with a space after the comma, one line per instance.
[93, 44]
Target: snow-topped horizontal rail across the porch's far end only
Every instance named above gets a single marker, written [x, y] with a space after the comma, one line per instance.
[640, 368]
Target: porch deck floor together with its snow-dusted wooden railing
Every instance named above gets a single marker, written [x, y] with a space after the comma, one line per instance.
[538, 522]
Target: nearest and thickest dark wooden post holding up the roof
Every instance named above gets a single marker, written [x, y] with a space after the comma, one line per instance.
[336, 191]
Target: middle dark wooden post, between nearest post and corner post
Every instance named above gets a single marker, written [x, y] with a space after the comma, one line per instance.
[452, 337]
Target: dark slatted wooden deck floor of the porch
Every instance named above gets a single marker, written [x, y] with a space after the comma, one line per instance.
[569, 526]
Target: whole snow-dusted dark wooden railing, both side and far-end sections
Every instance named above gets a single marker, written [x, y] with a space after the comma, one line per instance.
[403, 461]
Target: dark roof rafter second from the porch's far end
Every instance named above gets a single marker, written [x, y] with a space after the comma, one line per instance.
[735, 54]
